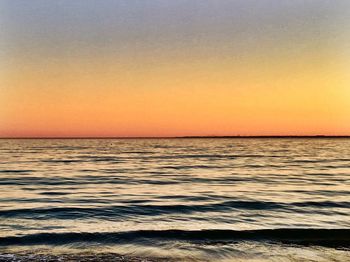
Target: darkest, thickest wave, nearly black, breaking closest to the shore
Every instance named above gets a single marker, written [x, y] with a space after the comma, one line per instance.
[335, 238]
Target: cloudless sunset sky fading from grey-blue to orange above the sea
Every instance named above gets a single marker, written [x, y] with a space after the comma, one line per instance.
[92, 68]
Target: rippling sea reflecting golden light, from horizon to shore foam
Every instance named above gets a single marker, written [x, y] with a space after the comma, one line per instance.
[191, 199]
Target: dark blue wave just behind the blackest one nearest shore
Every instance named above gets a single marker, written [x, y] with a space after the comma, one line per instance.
[115, 211]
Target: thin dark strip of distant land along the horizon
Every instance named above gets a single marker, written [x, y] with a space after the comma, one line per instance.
[183, 137]
